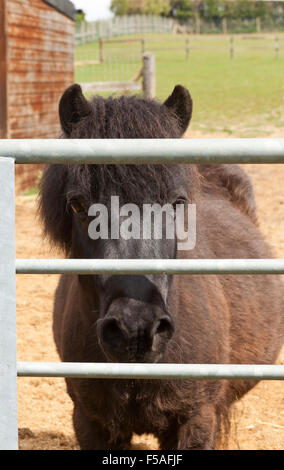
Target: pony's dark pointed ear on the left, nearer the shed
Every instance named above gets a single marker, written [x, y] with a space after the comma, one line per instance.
[73, 106]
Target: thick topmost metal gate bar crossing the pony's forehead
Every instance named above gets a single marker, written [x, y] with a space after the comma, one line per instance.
[138, 151]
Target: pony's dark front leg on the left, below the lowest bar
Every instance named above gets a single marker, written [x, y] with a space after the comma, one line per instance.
[91, 435]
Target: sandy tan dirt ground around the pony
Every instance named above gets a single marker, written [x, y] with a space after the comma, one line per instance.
[45, 410]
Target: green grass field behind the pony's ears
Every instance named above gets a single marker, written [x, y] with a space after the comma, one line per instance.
[240, 97]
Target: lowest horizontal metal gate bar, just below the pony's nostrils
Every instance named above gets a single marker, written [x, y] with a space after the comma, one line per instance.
[150, 371]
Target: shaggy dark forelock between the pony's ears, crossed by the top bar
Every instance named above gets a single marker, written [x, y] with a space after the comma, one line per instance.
[127, 117]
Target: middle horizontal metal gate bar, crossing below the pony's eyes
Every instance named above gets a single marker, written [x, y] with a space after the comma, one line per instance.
[150, 266]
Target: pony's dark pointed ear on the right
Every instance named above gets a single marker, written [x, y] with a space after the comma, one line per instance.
[180, 103]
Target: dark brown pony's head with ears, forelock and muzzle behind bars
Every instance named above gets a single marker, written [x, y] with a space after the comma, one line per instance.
[134, 321]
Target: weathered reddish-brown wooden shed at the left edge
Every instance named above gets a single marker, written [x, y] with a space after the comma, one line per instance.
[36, 65]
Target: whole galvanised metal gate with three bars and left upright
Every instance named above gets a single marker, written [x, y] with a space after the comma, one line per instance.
[101, 152]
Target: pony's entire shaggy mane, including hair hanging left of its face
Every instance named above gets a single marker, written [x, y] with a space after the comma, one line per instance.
[124, 117]
